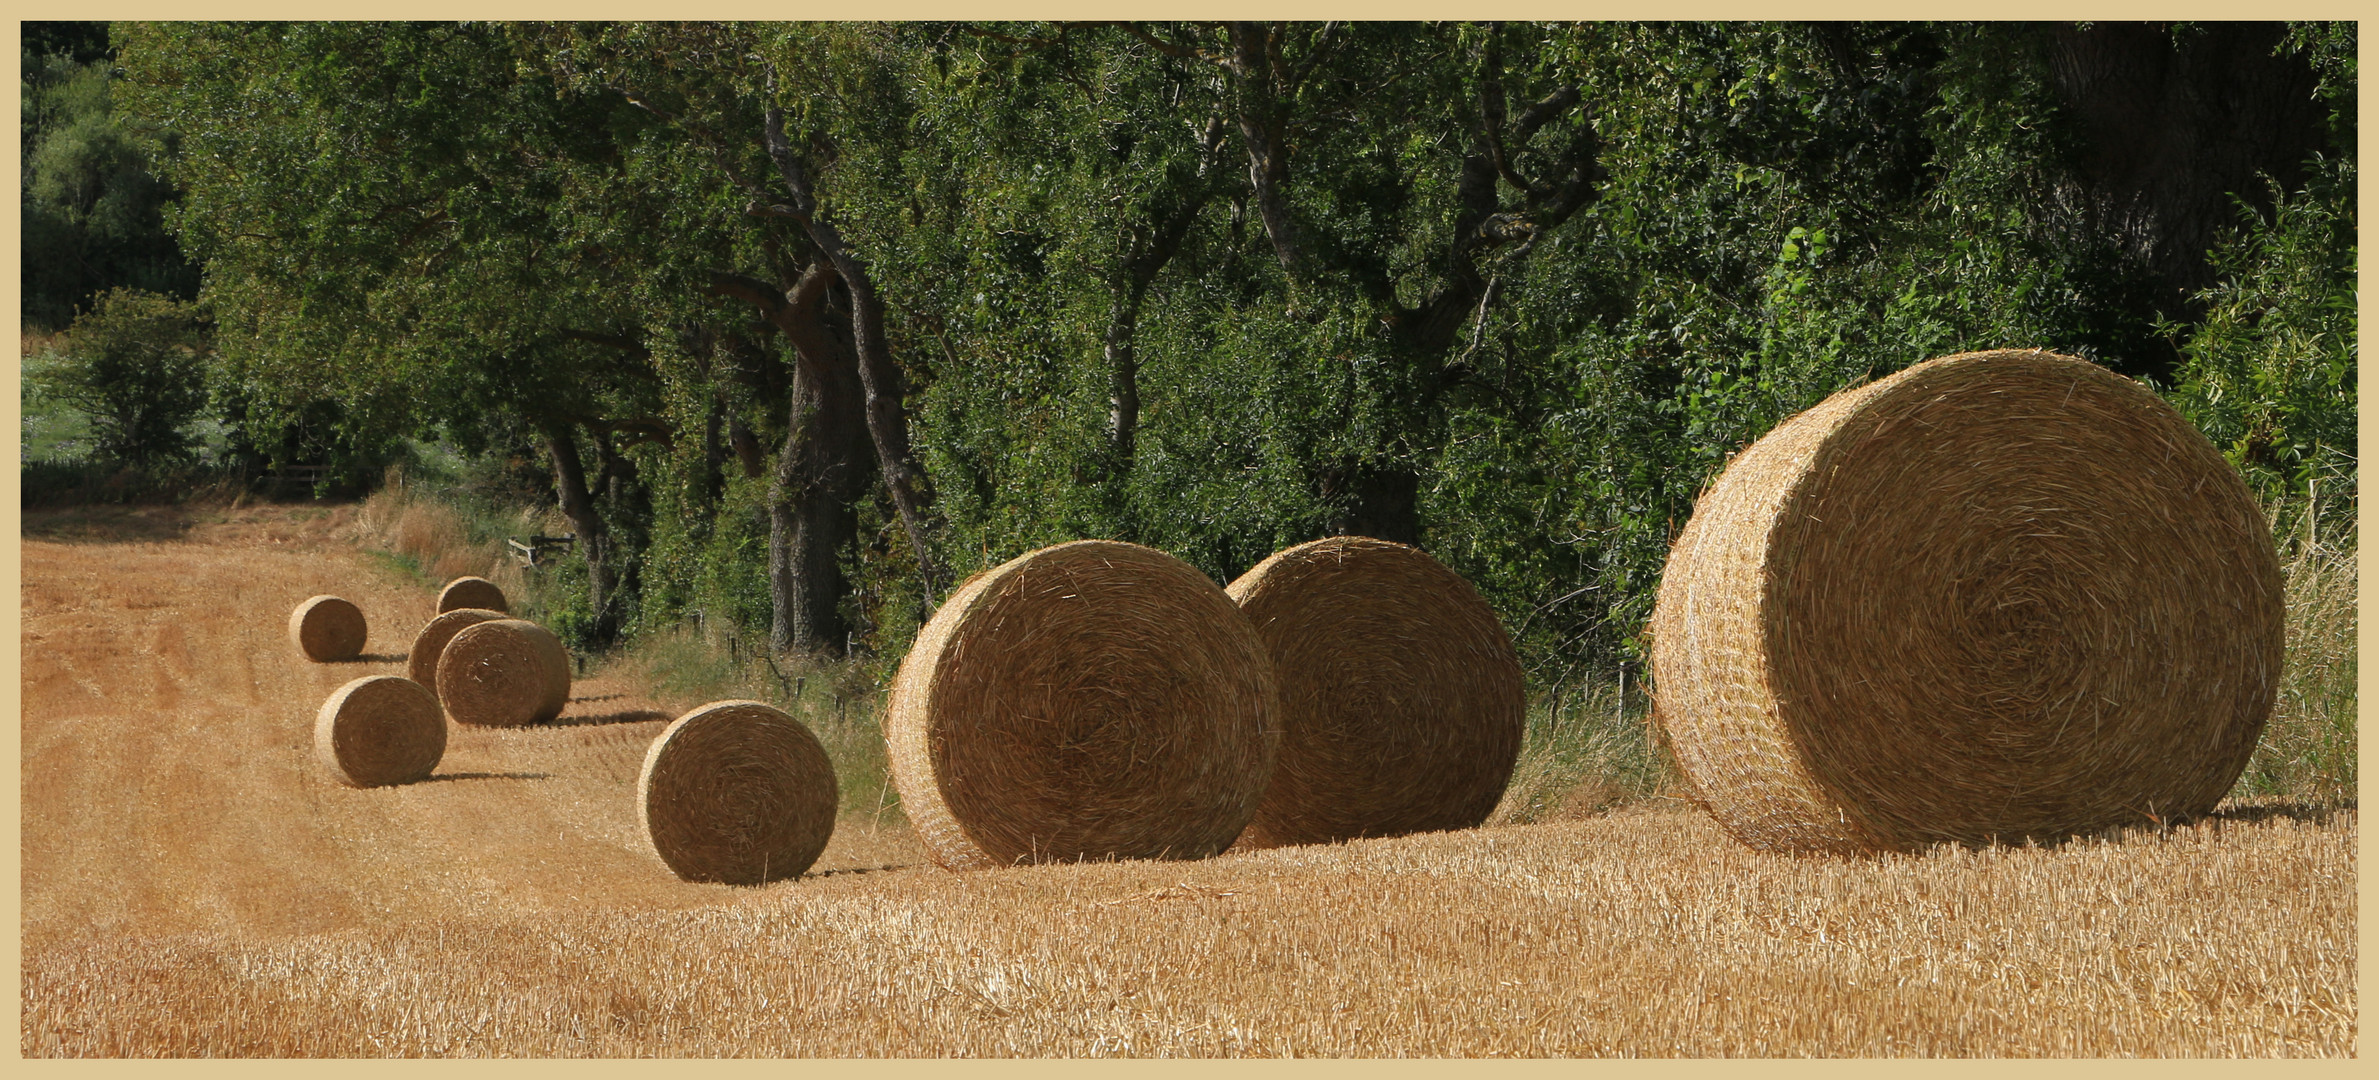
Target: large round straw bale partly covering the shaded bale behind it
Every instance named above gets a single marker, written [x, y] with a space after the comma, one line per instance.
[1091, 701]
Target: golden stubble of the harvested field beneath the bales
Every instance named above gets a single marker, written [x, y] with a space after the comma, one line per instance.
[196, 886]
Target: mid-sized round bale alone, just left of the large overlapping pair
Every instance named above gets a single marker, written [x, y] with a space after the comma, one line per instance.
[739, 793]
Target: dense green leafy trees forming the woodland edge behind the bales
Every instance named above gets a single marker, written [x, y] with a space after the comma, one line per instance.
[1509, 291]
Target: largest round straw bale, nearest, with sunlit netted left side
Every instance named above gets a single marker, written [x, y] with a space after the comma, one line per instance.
[1992, 598]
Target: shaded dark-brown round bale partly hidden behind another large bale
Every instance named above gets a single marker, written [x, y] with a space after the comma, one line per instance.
[1400, 696]
